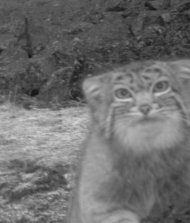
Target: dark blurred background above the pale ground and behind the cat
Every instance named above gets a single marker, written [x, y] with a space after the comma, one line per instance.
[47, 47]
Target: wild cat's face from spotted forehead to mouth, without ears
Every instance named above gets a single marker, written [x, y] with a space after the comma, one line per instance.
[143, 97]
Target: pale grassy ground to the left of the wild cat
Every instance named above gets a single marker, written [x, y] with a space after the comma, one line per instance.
[38, 150]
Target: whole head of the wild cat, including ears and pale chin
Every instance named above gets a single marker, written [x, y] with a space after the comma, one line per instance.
[143, 104]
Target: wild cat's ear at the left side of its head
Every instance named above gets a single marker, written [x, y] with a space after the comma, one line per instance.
[93, 90]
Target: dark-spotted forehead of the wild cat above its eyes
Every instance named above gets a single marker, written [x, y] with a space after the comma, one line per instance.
[139, 77]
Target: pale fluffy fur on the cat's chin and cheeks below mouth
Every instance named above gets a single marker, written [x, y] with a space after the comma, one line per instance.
[151, 136]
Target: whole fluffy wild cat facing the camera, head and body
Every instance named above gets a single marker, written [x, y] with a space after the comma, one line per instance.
[136, 162]
